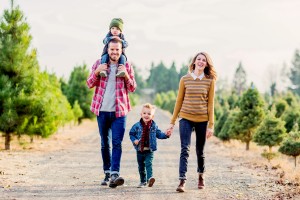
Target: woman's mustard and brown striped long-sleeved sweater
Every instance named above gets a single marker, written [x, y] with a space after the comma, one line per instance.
[195, 100]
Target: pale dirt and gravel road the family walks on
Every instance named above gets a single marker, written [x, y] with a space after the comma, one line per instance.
[74, 171]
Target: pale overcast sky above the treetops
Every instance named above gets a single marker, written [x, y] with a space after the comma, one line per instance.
[261, 34]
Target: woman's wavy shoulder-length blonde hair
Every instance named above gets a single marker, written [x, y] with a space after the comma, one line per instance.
[209, 70]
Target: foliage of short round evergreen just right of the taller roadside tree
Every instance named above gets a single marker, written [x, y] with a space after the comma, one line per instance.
[271, 132]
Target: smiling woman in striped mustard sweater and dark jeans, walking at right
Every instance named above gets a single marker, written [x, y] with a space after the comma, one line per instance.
[195, 108]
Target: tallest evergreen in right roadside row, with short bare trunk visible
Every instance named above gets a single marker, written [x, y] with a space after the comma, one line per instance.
[249, 117]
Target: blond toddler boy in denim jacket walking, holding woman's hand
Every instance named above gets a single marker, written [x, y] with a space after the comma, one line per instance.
[143, 135]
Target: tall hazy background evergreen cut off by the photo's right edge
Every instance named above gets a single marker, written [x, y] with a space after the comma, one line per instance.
[295, 73]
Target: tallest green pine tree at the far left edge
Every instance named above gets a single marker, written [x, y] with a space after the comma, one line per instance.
[18, 69]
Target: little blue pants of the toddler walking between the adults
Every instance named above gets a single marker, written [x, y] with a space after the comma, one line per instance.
[145, 159]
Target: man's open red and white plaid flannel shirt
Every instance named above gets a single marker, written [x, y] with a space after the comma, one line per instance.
[122, 88]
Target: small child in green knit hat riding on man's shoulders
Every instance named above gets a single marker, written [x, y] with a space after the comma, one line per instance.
[115, 31]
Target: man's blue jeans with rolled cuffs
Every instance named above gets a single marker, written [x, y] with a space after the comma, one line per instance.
[112, 129]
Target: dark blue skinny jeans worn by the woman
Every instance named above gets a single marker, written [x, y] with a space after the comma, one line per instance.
[186, 128]
